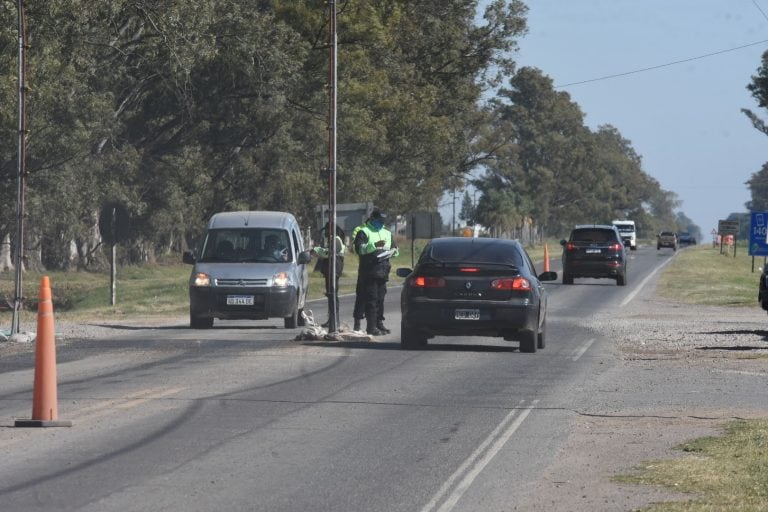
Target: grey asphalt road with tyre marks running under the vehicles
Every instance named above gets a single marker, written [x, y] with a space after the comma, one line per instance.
[241, 417]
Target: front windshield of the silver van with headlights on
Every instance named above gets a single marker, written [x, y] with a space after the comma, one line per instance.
[247, 245]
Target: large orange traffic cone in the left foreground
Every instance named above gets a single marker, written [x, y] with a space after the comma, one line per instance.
[44, 409]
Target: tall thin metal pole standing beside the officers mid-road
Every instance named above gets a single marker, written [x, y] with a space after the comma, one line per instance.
[332, 292]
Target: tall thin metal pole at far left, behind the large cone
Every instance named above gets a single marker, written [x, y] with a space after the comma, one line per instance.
[19, 261]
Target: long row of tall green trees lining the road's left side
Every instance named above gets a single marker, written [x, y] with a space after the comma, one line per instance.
[178, 109]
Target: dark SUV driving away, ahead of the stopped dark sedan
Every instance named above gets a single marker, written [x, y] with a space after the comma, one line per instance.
[594, 250]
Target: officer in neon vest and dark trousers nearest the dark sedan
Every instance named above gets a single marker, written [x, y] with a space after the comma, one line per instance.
[375, 245]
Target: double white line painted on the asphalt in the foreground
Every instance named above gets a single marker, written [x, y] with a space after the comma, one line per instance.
[476, 462]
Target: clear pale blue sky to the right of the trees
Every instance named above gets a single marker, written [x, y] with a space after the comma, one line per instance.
[683, 118]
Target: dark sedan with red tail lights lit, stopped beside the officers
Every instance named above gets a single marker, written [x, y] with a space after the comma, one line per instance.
[474, 287]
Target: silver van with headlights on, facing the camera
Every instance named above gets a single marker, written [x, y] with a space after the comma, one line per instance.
[250, 265]
